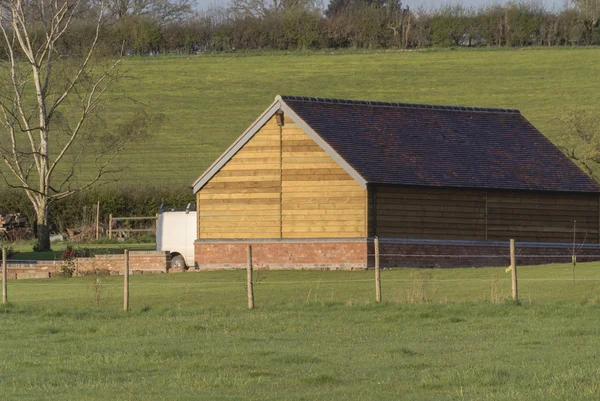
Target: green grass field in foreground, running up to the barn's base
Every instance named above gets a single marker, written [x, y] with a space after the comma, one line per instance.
[313, 335]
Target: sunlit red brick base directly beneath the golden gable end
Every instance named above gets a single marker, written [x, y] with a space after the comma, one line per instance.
[336, 254]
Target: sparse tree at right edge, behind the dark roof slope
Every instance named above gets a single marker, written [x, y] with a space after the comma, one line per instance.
[580, 140]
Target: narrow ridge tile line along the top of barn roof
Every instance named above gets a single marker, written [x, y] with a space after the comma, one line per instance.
[398, 105]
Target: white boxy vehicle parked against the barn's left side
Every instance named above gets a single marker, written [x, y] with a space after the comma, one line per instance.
[176, 233]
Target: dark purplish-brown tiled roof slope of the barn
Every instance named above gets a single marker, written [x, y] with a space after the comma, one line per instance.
[441, 146]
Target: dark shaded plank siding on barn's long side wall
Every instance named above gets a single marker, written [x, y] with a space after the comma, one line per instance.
[479, 215]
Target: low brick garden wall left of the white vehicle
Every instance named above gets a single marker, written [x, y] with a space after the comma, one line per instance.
[140, 262]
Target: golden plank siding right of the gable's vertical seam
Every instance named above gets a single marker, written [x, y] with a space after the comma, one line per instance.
[319, 199]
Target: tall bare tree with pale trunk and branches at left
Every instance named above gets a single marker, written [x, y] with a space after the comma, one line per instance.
[51, 105]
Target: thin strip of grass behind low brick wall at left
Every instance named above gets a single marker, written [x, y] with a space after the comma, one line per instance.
[24, 249]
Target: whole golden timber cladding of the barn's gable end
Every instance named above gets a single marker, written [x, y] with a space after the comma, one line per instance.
[281, 184]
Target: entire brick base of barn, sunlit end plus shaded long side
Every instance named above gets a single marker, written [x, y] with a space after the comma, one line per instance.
[351, 254]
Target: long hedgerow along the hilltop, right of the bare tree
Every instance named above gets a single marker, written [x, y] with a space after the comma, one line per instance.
[378, 24]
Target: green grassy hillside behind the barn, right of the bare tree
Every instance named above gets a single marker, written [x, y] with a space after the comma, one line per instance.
[208, 101]
